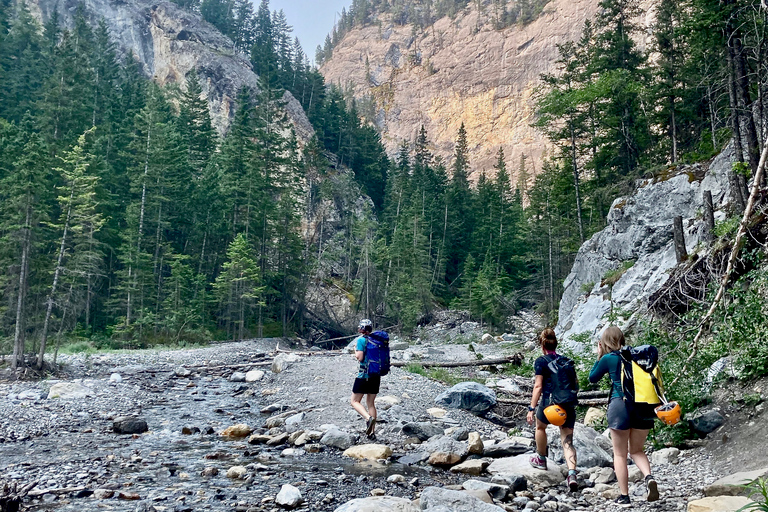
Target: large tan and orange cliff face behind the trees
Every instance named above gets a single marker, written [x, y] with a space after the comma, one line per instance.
[459, 71]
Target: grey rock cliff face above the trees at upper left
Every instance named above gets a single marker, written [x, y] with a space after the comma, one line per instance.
[169, 43]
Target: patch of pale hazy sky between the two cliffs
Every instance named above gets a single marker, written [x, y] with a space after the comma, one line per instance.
[311, 20]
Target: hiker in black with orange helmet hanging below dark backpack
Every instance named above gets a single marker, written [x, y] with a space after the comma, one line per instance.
[557, 386]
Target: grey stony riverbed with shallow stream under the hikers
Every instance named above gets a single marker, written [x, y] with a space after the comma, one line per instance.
[217, 429]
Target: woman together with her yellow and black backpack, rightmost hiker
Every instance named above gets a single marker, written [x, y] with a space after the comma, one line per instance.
[635, 389]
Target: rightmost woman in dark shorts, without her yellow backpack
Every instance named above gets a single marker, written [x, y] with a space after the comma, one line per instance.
[629, 423]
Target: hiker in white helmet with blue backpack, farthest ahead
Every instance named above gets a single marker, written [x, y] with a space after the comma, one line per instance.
[372, 354]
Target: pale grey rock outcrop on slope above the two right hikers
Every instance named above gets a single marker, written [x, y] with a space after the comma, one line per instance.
[638, 236]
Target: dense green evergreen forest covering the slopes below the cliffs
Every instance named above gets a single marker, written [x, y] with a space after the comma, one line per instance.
[127, 221]
